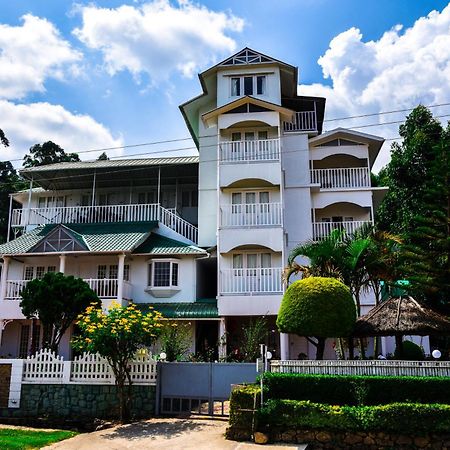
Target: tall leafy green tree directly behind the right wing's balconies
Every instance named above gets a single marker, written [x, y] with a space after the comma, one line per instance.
[408, 172]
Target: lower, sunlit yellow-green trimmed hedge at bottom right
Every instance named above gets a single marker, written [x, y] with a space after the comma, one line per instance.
[404, 418]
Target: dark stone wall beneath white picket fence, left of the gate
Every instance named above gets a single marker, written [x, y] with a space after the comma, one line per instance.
[79, 402]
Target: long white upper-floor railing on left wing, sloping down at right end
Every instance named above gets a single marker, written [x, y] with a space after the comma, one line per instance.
[106, 213]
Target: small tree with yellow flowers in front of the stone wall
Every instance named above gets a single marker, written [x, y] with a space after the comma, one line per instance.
[117, 335]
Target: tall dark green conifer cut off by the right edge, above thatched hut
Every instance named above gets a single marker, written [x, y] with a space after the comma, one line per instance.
[427, 255]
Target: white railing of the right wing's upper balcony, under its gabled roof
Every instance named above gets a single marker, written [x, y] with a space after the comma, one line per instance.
[353, 177]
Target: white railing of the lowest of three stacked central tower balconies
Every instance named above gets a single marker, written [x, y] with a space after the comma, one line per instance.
[251, 281]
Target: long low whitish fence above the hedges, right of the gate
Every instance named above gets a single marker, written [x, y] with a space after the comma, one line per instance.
[363, 367]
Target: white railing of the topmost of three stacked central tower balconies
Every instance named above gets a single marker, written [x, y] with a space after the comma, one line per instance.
[245, 151]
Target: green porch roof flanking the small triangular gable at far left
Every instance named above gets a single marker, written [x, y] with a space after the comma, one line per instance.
[98, 237]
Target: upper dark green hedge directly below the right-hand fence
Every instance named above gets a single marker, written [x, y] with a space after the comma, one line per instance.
[357, 390]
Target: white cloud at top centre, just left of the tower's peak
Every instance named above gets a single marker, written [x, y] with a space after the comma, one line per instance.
[158, 38]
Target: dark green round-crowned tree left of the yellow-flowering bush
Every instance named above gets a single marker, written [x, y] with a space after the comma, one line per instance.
[56, 300]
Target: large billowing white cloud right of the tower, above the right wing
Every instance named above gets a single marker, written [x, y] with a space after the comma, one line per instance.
[399, 70]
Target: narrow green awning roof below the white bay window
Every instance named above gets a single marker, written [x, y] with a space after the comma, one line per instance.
[192, 310]
